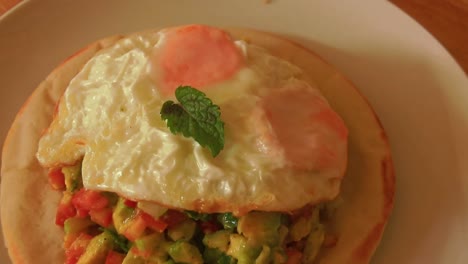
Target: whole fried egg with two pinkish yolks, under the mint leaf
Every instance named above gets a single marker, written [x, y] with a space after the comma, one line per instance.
[284, 145]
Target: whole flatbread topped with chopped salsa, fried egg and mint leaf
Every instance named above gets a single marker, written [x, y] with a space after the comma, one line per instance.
[275, 158]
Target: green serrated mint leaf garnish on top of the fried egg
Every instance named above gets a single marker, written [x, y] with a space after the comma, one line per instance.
[196, 116]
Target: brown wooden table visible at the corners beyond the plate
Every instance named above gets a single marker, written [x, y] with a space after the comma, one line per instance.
[447, 20]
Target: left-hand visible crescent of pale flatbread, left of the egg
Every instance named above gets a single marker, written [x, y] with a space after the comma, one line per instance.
[28, 203]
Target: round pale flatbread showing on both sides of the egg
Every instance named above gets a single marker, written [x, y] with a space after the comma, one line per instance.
[28, 204]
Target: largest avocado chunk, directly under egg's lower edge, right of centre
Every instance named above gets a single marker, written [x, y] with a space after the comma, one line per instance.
[261, 228]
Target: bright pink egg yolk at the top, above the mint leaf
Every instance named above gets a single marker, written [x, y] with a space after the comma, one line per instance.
[194, 55]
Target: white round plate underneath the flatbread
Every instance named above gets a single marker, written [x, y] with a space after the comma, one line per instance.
[416, 88]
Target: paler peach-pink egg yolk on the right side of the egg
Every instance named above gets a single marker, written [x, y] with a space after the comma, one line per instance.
[297, 122]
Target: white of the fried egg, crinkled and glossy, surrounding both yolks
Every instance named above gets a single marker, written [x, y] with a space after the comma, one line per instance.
[109, 116]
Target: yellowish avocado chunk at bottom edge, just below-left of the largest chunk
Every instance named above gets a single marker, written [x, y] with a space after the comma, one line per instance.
[242, 250]
